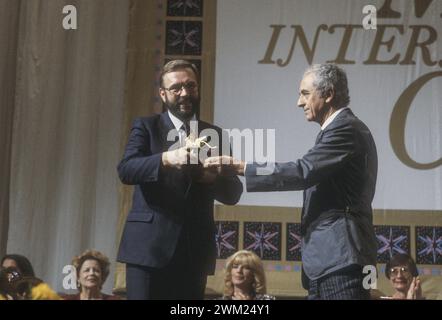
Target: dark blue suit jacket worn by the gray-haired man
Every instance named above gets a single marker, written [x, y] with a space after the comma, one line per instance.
[339, 177]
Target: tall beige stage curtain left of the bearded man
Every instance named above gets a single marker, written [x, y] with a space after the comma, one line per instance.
[69, 98]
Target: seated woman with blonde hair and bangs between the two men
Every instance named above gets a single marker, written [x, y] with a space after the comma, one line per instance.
[245, 278]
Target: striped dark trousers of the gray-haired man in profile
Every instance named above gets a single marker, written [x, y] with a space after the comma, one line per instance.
[344, 284]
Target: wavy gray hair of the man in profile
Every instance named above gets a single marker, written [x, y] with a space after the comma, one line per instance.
[329, 77]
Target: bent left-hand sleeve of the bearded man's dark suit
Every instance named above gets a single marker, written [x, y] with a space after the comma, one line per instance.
[139, 165]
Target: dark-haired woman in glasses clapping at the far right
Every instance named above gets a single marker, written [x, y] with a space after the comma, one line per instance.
[402, 272]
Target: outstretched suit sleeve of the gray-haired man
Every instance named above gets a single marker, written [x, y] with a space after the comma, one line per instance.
[331, 153]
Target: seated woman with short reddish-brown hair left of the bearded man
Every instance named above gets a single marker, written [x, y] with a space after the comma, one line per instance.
[92, 270]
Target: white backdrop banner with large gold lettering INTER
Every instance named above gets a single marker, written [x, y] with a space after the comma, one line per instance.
[395, 81]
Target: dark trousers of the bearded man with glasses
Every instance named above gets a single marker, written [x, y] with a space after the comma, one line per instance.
[181, 279]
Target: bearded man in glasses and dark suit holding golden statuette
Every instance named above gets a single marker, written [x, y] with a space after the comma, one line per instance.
[168, 242]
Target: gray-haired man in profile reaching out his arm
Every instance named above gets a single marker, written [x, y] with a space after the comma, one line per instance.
[338, 176]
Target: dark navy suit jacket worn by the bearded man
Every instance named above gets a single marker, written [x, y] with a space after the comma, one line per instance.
[167, 201]
